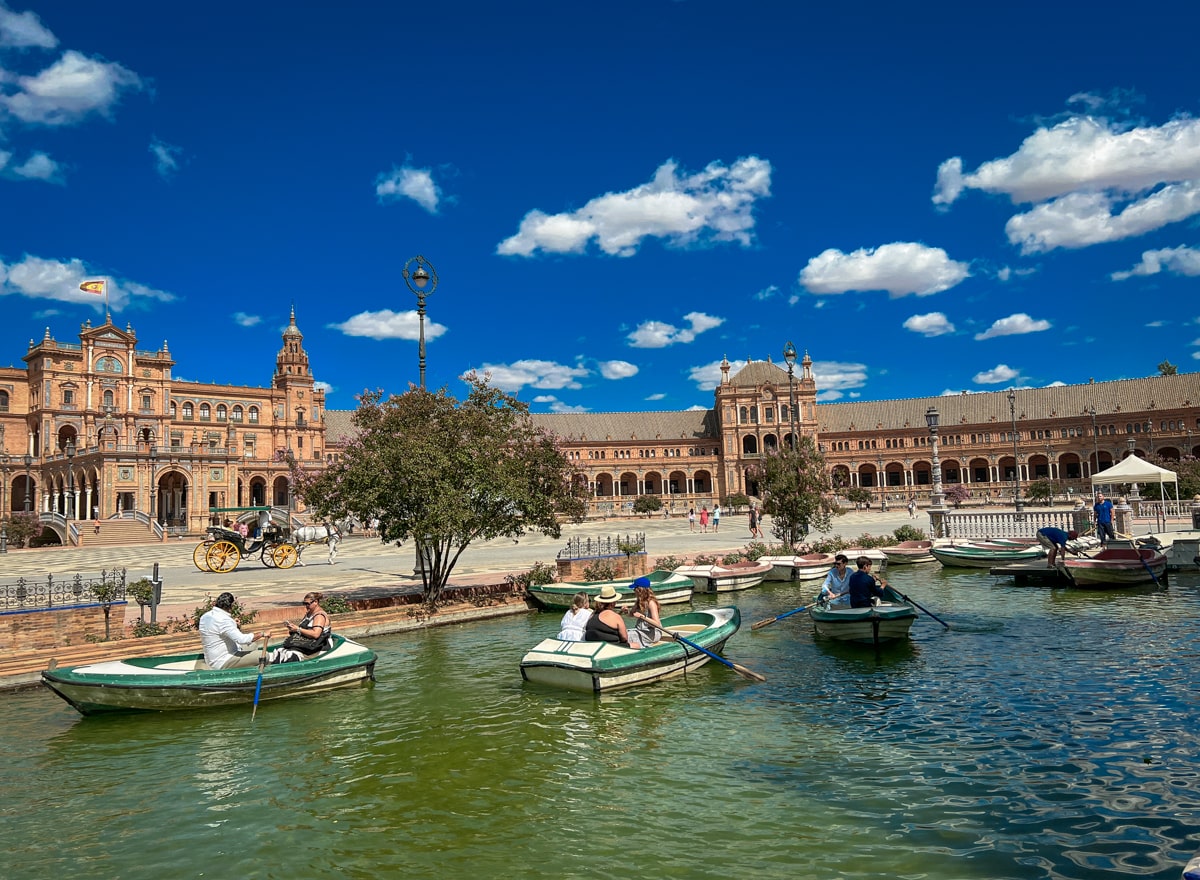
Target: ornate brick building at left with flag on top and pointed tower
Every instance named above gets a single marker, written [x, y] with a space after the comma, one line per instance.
[98, 429]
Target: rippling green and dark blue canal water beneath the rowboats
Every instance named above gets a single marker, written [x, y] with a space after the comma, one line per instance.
[1048, 734]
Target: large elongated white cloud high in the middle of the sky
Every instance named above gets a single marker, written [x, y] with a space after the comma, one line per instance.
[713, 206]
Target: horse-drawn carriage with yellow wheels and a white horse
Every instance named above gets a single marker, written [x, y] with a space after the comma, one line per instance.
[278, 547]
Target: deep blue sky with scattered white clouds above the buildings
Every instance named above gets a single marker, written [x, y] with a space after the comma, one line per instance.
[615, 196]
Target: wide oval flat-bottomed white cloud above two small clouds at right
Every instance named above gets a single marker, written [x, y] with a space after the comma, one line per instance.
[899, 268]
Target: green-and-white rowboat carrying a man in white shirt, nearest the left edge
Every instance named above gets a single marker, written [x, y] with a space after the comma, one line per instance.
[184, 681]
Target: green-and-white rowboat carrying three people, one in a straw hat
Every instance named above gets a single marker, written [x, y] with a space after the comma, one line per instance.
[598, 667]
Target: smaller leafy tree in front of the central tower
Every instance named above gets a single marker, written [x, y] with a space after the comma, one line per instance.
[795, 492]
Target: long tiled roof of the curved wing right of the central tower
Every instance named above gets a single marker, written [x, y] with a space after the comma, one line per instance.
[1111, 399]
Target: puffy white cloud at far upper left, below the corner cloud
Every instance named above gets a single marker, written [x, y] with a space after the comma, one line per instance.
[69, 91]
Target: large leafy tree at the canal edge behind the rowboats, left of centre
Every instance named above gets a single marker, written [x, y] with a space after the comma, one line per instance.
[445, 474]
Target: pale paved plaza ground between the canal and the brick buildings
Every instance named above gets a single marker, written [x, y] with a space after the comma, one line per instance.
[367, 566]
